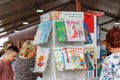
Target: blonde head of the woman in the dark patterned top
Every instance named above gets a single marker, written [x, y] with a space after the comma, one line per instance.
[26, 48]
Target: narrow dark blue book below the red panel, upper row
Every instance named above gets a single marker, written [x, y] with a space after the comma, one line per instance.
[87, 35]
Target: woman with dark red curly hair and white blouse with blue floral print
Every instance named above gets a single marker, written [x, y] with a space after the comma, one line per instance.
[111, 65]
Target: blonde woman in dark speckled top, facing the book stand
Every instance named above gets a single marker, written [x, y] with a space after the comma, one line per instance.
[25, 62]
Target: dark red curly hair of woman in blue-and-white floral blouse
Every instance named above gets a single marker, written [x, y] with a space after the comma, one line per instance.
[113, 37]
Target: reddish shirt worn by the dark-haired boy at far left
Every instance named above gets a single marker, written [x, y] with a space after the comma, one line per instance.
[6, 72]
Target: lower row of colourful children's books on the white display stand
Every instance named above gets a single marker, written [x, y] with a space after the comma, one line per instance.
[71, 58]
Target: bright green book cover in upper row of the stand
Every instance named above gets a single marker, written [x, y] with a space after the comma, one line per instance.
[61, 30]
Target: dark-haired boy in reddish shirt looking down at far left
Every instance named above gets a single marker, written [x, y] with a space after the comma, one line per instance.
[6, 71]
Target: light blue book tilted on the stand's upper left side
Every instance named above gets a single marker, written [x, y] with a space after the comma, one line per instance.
[43, 32]
